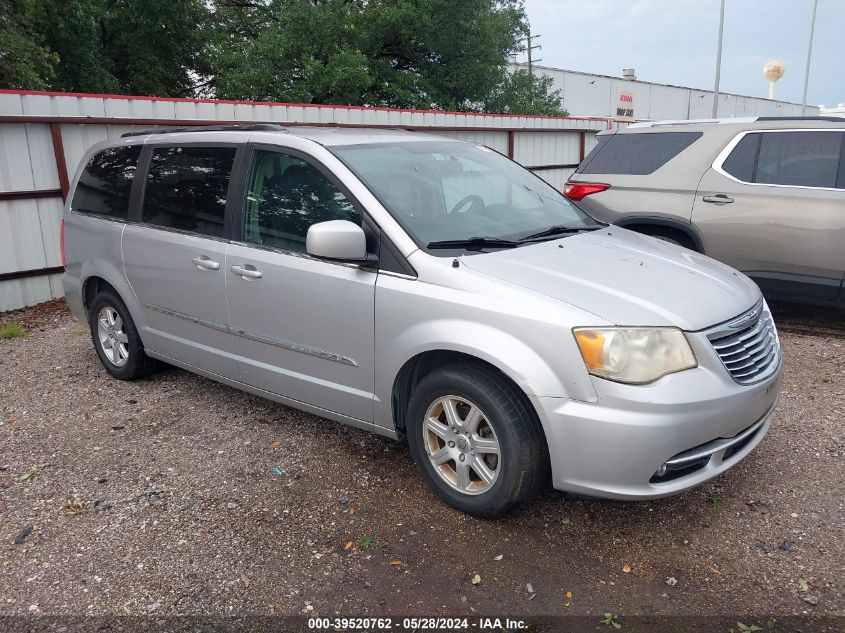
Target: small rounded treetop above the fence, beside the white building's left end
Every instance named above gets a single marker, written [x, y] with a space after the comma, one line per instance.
[520, 92]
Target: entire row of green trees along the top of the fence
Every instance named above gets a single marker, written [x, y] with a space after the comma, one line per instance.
[427, 54]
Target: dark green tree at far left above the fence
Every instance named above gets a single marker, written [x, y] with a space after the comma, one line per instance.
[148, 47]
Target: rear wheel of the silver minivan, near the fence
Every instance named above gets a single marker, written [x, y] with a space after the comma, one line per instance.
[116, 339]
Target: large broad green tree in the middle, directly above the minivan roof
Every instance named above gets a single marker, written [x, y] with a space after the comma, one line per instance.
[426, 54]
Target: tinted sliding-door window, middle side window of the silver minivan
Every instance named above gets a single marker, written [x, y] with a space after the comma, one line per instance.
[186, 188]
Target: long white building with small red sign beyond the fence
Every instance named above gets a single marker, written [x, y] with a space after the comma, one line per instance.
[587, 94]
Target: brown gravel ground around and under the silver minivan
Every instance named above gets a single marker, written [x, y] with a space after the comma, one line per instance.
[176, 495]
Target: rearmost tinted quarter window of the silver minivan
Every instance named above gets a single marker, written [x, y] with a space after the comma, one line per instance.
[106, 181]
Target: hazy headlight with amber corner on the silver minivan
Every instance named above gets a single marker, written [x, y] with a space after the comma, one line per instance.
[634, 355]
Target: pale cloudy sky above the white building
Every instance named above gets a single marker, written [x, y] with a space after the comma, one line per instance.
[674, 42]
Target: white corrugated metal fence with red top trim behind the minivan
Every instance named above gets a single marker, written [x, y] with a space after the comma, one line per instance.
[43, 136]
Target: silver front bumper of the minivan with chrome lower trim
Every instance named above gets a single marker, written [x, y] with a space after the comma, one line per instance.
[698, 422]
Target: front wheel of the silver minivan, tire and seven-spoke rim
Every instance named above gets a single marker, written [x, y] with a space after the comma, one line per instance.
[475, 440]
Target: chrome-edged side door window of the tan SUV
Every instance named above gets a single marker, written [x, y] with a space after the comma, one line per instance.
[802, 159]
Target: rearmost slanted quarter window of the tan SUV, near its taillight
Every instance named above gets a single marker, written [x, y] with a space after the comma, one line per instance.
[637, 154]
